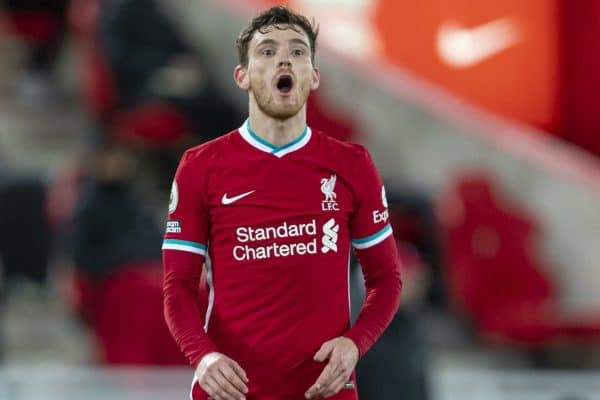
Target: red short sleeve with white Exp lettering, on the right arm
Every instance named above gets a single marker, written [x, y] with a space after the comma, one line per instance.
[370, 221]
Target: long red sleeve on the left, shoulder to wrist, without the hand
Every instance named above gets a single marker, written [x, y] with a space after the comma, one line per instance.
[184, 249]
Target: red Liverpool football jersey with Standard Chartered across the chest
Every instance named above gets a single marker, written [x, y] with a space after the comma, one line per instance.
[275, 226]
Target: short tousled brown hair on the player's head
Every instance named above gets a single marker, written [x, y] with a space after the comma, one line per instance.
[279, 17]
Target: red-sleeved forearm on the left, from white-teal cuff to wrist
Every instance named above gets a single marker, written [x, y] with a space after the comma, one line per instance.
[182, 311]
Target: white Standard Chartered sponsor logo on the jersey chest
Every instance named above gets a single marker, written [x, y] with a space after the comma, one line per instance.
[306, 243]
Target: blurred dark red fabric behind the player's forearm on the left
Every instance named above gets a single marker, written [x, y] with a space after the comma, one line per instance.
[124, 311]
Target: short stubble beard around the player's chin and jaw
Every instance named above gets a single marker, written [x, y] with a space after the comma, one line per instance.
[265, 100]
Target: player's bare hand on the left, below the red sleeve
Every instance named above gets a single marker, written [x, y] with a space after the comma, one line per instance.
[221, 377]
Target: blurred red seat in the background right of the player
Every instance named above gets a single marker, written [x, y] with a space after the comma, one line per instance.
[496, 276]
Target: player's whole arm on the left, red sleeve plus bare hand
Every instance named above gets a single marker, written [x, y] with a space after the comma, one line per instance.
[184, 252]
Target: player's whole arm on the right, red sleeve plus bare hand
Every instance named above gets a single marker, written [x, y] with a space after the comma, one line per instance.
[376, 249]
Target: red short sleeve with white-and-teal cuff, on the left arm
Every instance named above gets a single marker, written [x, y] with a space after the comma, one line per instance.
[187, 222]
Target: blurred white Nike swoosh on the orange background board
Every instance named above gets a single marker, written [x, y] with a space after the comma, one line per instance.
[461, 47]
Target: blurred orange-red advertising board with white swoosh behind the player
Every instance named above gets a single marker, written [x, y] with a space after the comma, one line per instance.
[502, 55]
